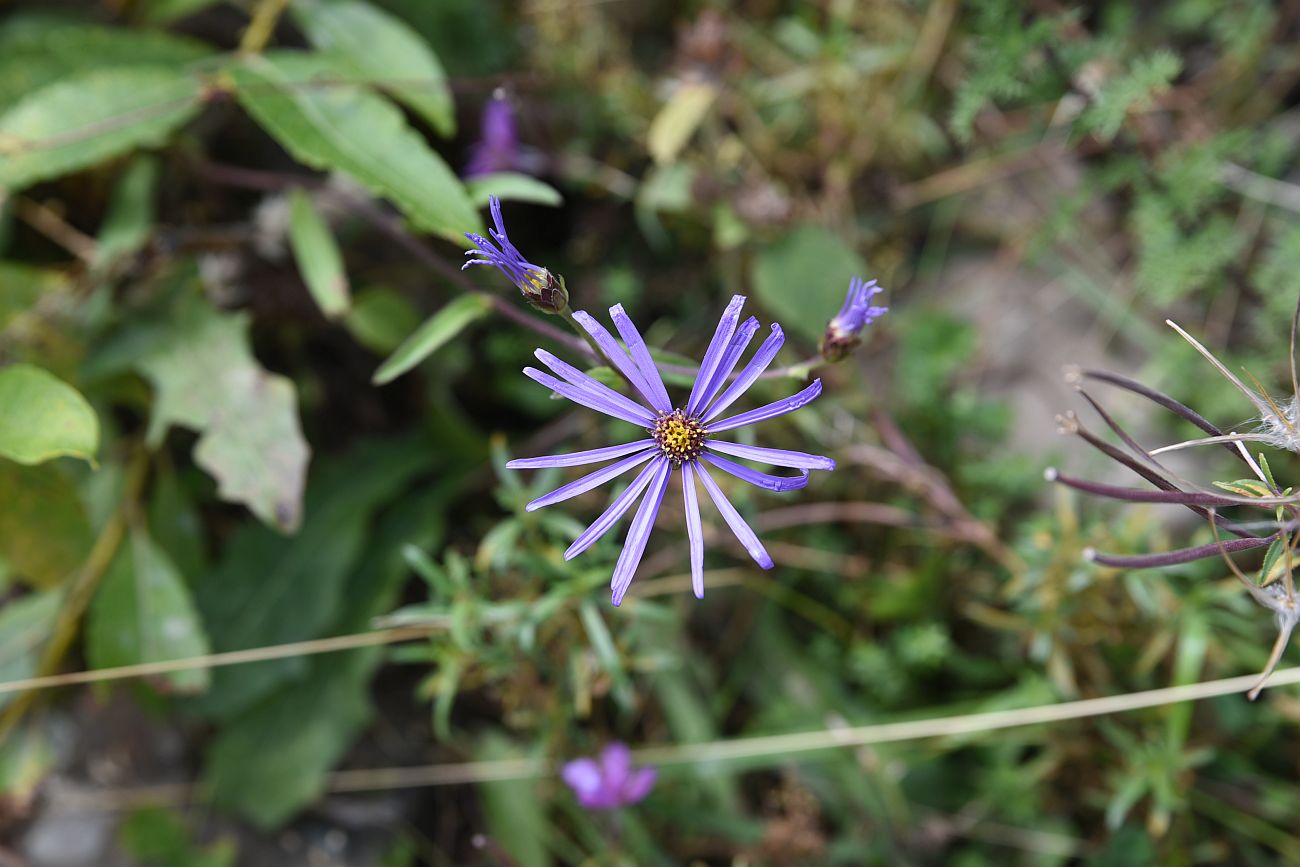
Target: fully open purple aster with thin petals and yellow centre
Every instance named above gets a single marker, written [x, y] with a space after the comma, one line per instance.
[681, 437]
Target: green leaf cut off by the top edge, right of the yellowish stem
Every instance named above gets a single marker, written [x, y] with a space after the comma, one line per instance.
[385, 50]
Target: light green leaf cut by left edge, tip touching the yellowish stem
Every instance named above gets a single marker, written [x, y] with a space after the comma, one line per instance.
[80, 122]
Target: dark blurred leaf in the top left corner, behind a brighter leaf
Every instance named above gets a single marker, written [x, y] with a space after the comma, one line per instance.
[38, 50]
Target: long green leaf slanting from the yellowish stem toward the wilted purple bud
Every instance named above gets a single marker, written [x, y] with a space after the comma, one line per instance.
[350, 129]
